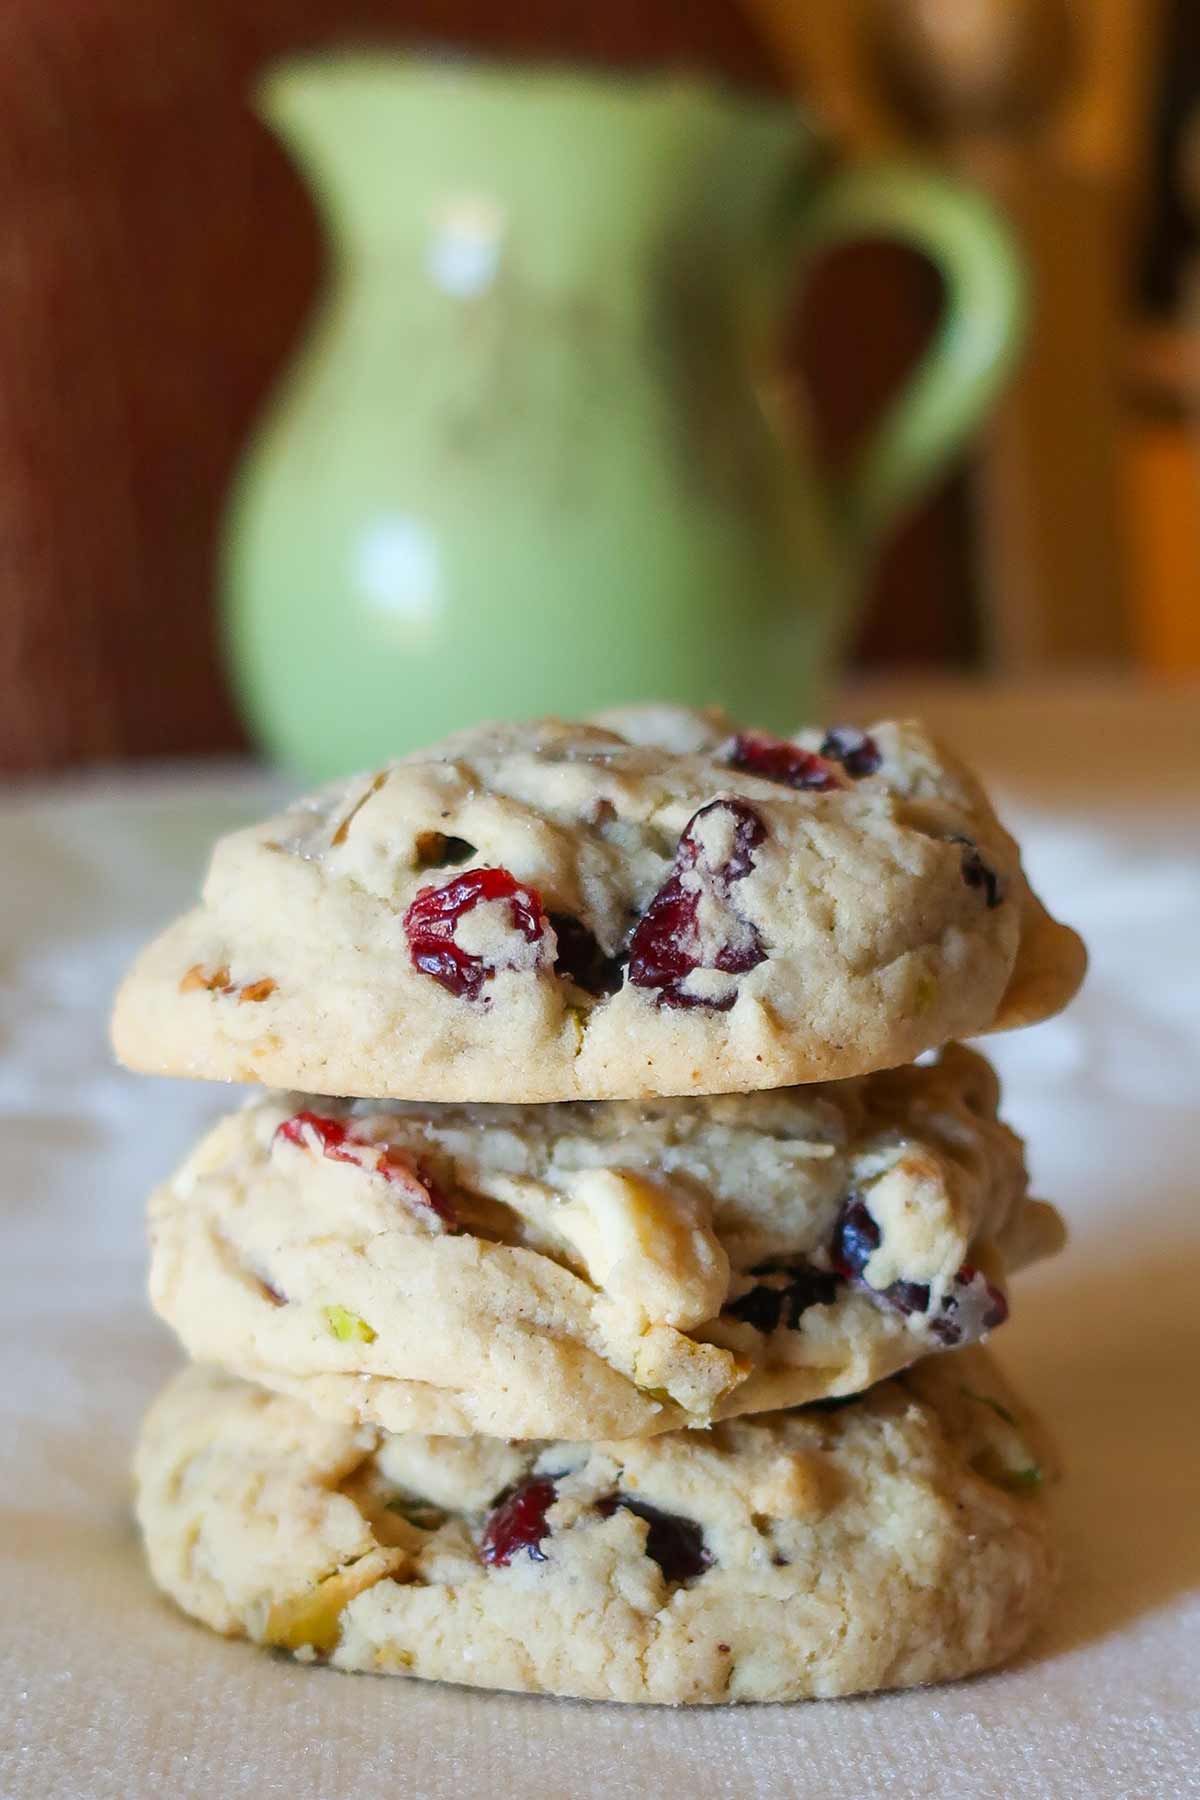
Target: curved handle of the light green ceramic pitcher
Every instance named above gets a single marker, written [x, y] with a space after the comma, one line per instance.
[976, 345]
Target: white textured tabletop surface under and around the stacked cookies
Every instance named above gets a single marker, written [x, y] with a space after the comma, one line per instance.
[107, 1693]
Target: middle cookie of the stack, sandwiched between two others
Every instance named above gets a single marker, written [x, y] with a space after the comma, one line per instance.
[596, 1270]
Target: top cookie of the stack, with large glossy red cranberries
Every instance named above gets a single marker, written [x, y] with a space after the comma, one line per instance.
[661, 904]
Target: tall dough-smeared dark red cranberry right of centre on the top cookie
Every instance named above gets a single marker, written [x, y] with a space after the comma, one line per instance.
[667, 948]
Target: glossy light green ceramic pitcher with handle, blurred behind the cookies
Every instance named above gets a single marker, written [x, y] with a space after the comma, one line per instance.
[533, 454]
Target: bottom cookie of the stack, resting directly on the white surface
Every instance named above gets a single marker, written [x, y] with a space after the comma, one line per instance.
[884, 1542]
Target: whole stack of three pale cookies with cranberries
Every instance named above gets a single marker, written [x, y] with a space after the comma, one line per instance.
[591, 1299]
